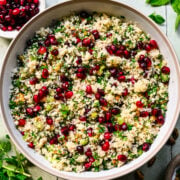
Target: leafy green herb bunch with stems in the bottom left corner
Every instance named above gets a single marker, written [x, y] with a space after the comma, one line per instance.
[12, 167]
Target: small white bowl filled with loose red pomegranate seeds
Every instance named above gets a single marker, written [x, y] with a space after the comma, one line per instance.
[15, 13]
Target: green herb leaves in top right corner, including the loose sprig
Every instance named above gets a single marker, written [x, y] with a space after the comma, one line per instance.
[175, 5]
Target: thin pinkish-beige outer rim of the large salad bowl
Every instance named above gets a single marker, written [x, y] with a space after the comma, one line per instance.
[117, 174]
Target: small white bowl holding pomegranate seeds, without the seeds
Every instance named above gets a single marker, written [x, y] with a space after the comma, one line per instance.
[13, 34]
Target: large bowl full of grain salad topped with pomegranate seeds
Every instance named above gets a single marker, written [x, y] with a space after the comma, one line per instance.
[89, 90]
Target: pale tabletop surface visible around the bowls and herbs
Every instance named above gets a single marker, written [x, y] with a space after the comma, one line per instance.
[157, 171]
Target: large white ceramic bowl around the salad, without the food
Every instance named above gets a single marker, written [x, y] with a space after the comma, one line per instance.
[110, 7]
